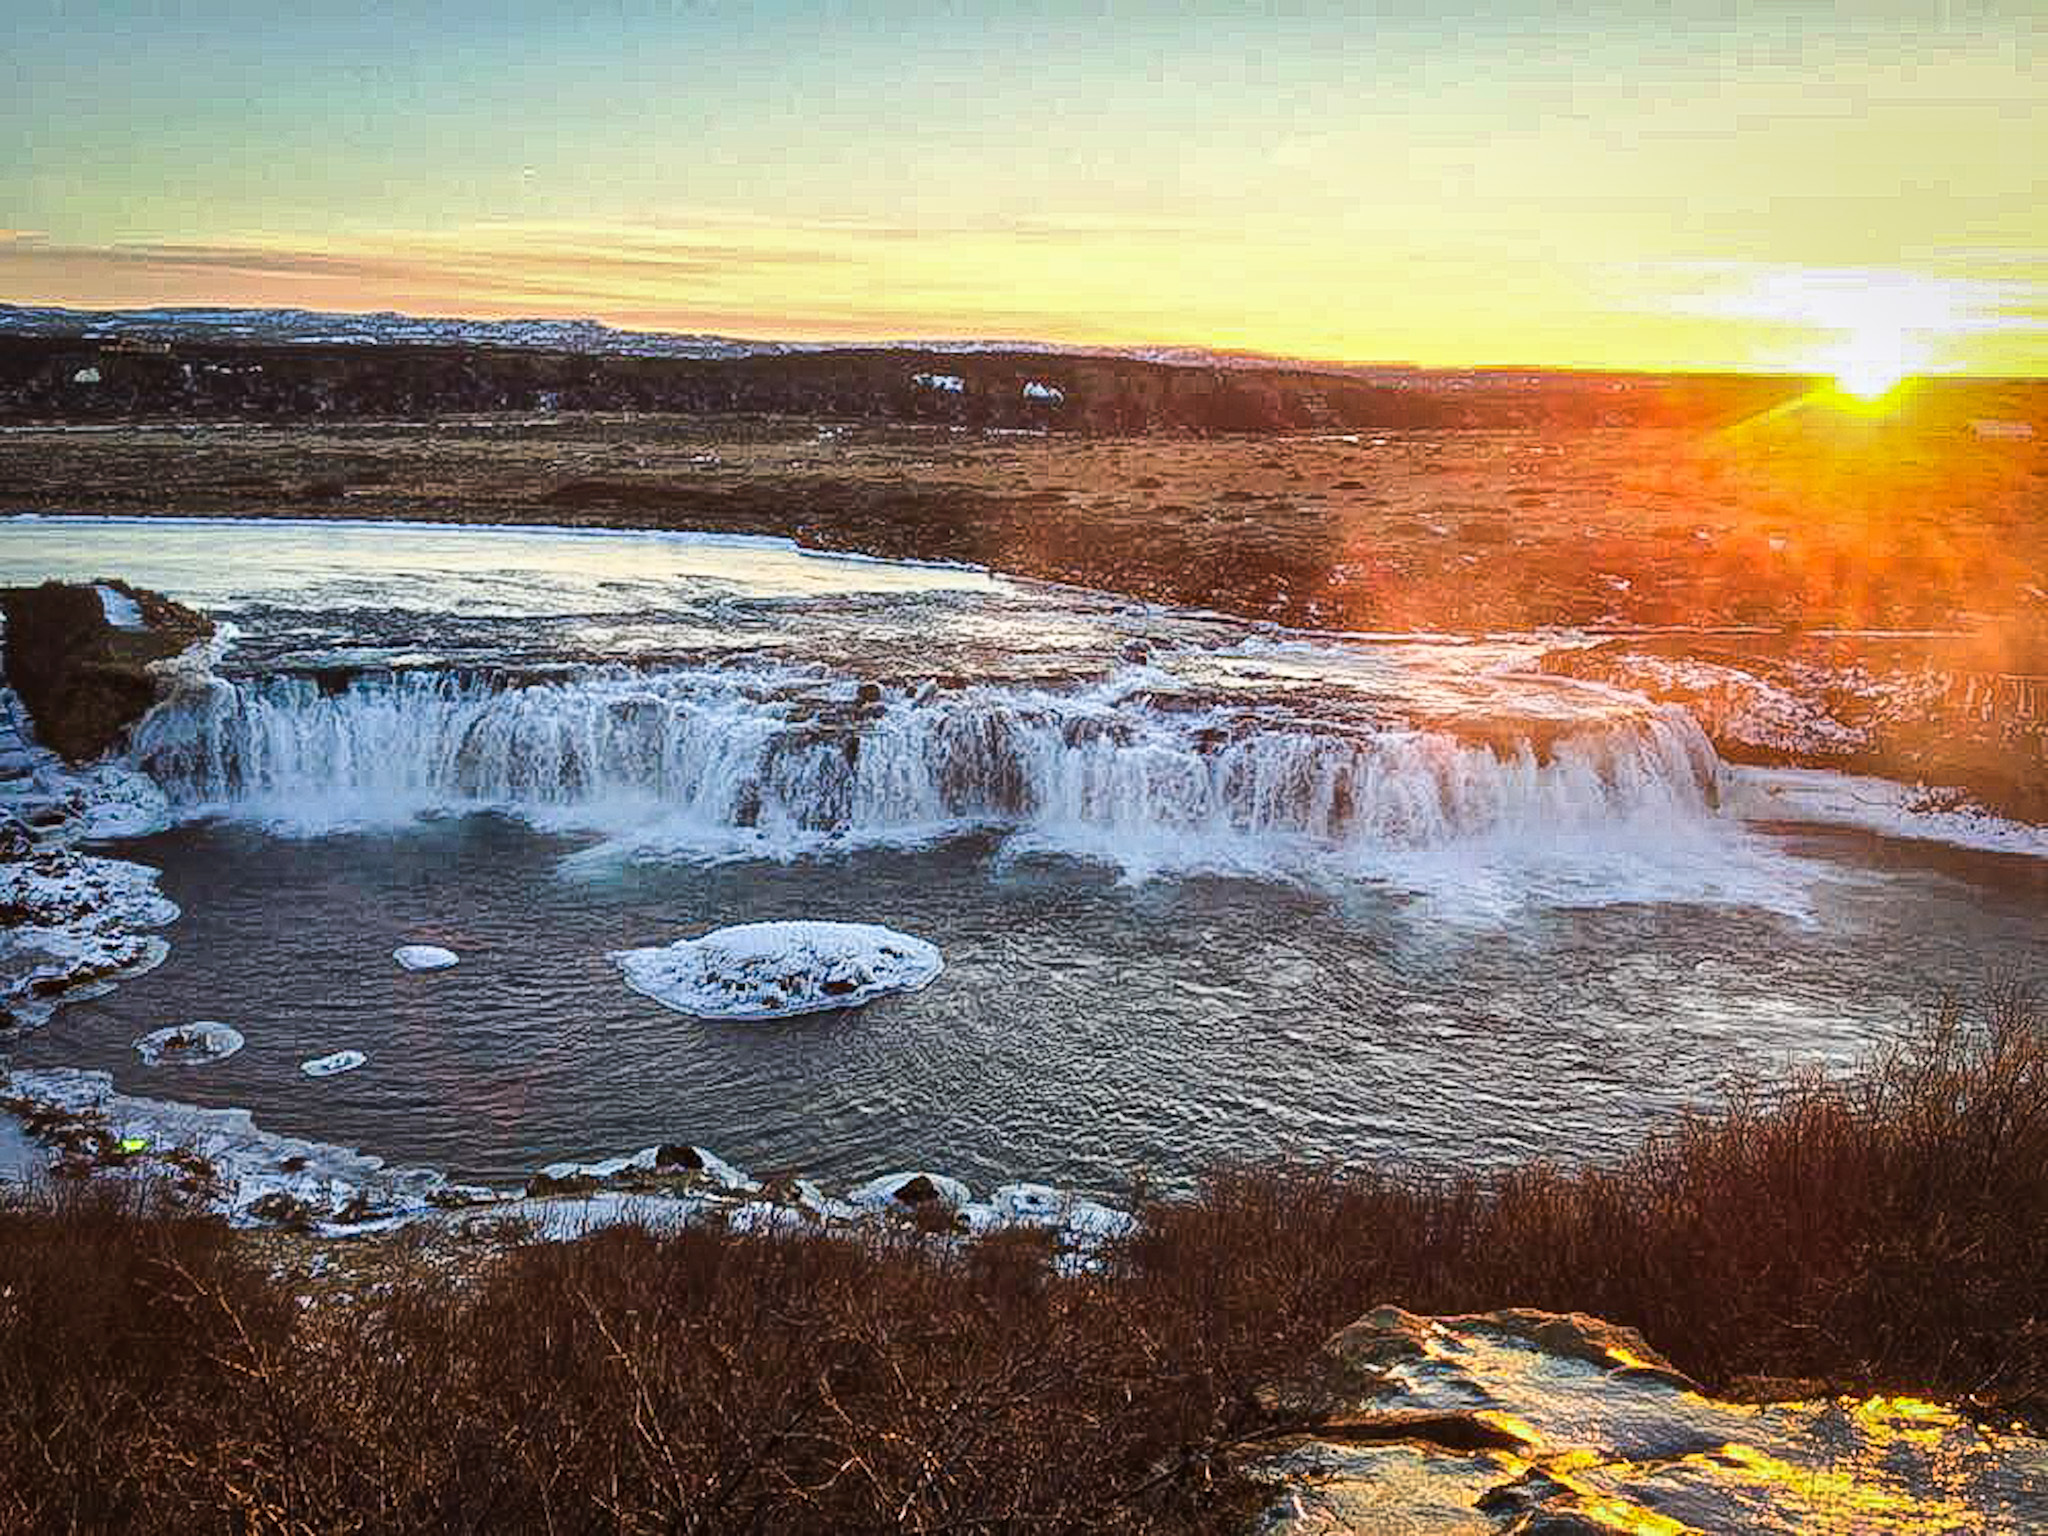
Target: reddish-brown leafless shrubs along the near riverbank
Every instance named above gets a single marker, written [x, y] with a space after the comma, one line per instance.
[1889, 1232]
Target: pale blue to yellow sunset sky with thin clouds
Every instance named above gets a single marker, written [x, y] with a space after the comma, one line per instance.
[1621, 183]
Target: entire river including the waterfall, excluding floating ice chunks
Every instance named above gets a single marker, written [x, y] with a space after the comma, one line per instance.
[1203, 888]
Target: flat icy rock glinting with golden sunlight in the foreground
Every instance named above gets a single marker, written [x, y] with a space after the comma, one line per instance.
[1562, 1424]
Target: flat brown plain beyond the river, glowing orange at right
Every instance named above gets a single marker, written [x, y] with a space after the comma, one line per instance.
[1801, 519]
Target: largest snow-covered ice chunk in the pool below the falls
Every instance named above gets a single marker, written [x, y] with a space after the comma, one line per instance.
[779, 970]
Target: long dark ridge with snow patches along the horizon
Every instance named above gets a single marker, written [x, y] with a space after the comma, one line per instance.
[300, 366]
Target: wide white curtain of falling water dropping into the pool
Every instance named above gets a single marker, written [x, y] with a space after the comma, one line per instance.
[783, 761]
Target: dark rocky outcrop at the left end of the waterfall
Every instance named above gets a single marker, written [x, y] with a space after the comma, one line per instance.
[81, 658]
